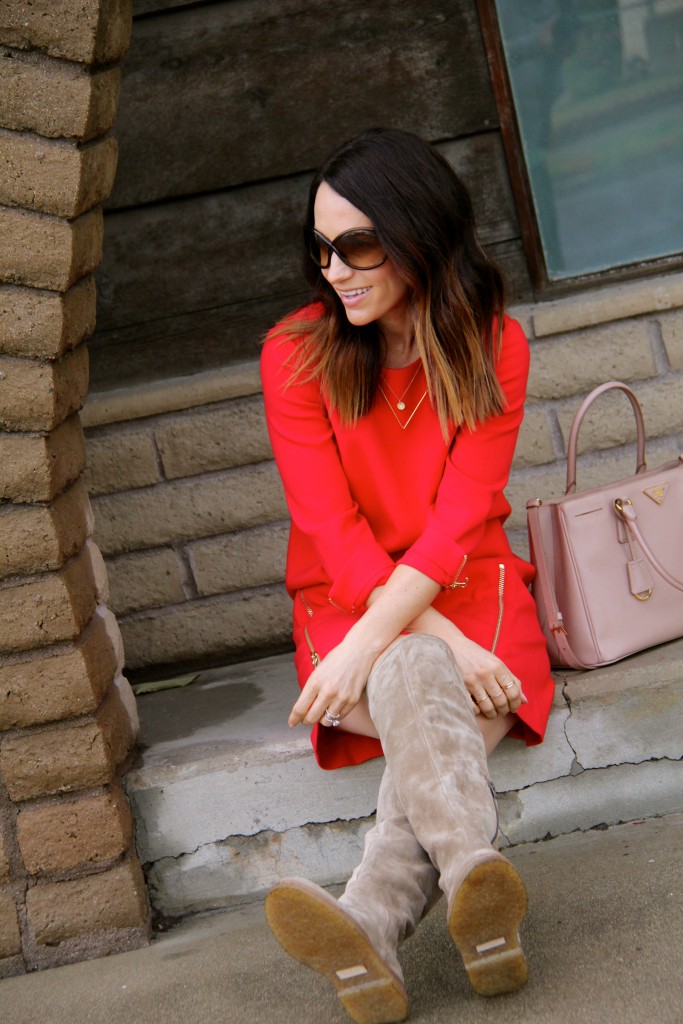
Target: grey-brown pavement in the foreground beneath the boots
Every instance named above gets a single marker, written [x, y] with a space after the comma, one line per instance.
[604, 938]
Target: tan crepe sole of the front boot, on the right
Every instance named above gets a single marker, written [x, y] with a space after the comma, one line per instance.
[484, 921]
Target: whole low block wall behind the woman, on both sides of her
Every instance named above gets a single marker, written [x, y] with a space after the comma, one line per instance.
[190, 510]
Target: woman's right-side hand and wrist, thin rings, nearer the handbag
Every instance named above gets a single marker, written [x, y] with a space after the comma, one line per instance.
[495, 691]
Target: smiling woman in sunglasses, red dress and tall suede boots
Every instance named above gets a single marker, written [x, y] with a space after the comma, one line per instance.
[394, 405]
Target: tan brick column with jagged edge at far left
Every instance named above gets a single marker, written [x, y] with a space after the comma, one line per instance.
[71, 886]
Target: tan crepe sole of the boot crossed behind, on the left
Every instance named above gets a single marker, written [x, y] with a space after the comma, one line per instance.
[315, 930]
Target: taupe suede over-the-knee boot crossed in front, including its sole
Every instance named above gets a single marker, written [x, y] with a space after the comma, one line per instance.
[437, 756]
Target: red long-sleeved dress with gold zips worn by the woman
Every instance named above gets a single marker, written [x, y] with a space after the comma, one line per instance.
[365, 499]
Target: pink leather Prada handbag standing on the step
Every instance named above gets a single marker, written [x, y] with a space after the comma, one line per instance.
[610, 561]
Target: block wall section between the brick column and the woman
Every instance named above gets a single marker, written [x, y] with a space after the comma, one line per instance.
[191, 517]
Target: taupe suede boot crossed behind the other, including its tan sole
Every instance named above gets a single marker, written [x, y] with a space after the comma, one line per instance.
[354, 941]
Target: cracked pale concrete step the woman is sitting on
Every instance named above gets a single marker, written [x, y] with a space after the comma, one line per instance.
[228, 799]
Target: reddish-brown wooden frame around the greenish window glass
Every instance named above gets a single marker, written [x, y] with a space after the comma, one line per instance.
[521, 185]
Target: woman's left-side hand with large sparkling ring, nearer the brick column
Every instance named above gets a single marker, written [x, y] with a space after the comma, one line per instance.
[336, 686]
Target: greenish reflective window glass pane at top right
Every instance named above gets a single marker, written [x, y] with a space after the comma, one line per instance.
[599, 94]
